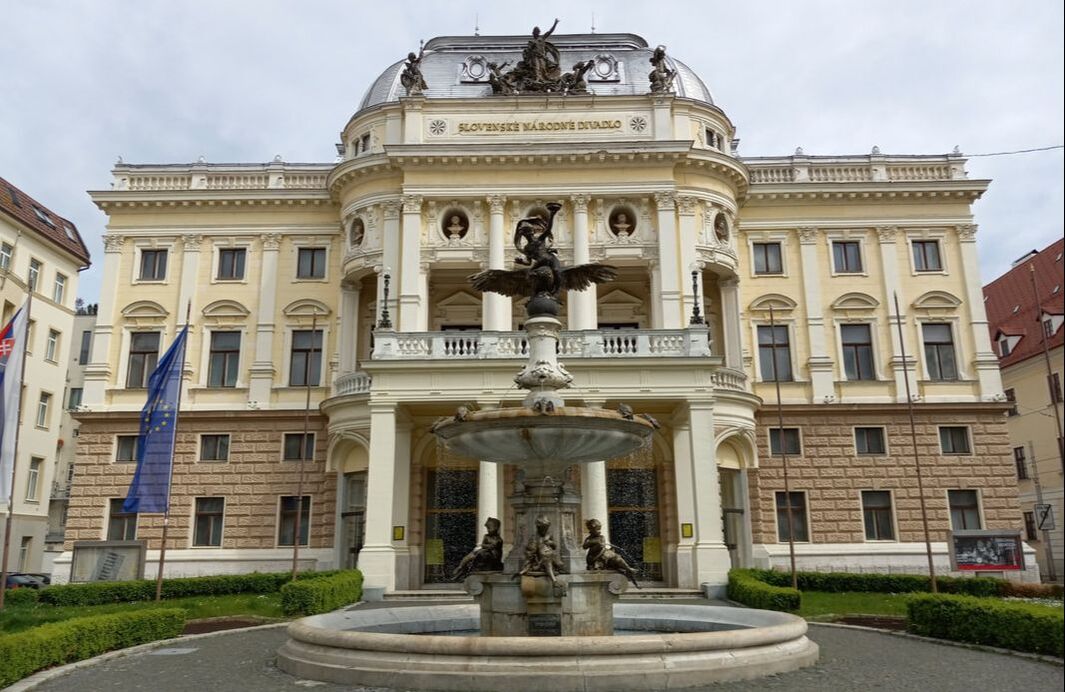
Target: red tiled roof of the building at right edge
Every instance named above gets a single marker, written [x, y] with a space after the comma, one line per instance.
[1012, 307]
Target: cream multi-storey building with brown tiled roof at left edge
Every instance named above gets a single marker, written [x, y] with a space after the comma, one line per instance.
[41, 253]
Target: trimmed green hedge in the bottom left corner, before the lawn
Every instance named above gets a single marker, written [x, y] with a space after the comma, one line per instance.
[26, 653]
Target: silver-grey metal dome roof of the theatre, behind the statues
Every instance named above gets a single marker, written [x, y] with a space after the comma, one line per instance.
[457, 68]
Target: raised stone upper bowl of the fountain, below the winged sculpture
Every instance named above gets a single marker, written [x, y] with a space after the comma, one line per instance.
[520, 436]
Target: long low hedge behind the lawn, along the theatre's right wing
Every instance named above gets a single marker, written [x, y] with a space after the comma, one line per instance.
[845, 582]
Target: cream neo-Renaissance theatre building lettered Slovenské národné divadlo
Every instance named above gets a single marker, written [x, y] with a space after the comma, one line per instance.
[353, 275]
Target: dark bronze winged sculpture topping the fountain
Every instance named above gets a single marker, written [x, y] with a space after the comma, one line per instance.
[542, 276]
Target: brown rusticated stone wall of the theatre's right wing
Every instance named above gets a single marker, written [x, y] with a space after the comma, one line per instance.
[833, 476]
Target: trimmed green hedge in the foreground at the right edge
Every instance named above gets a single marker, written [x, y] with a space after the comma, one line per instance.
[1021, 627]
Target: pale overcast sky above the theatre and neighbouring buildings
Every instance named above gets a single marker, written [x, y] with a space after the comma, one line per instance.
[161, 81]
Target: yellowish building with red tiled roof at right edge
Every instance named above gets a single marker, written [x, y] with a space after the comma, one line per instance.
[1026, 309]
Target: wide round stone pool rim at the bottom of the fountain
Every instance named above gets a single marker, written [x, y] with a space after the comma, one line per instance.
[438, 648]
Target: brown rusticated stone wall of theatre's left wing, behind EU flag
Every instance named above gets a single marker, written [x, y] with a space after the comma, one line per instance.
[252, 482]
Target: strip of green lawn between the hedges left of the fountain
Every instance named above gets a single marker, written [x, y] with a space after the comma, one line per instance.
[15, 619]
